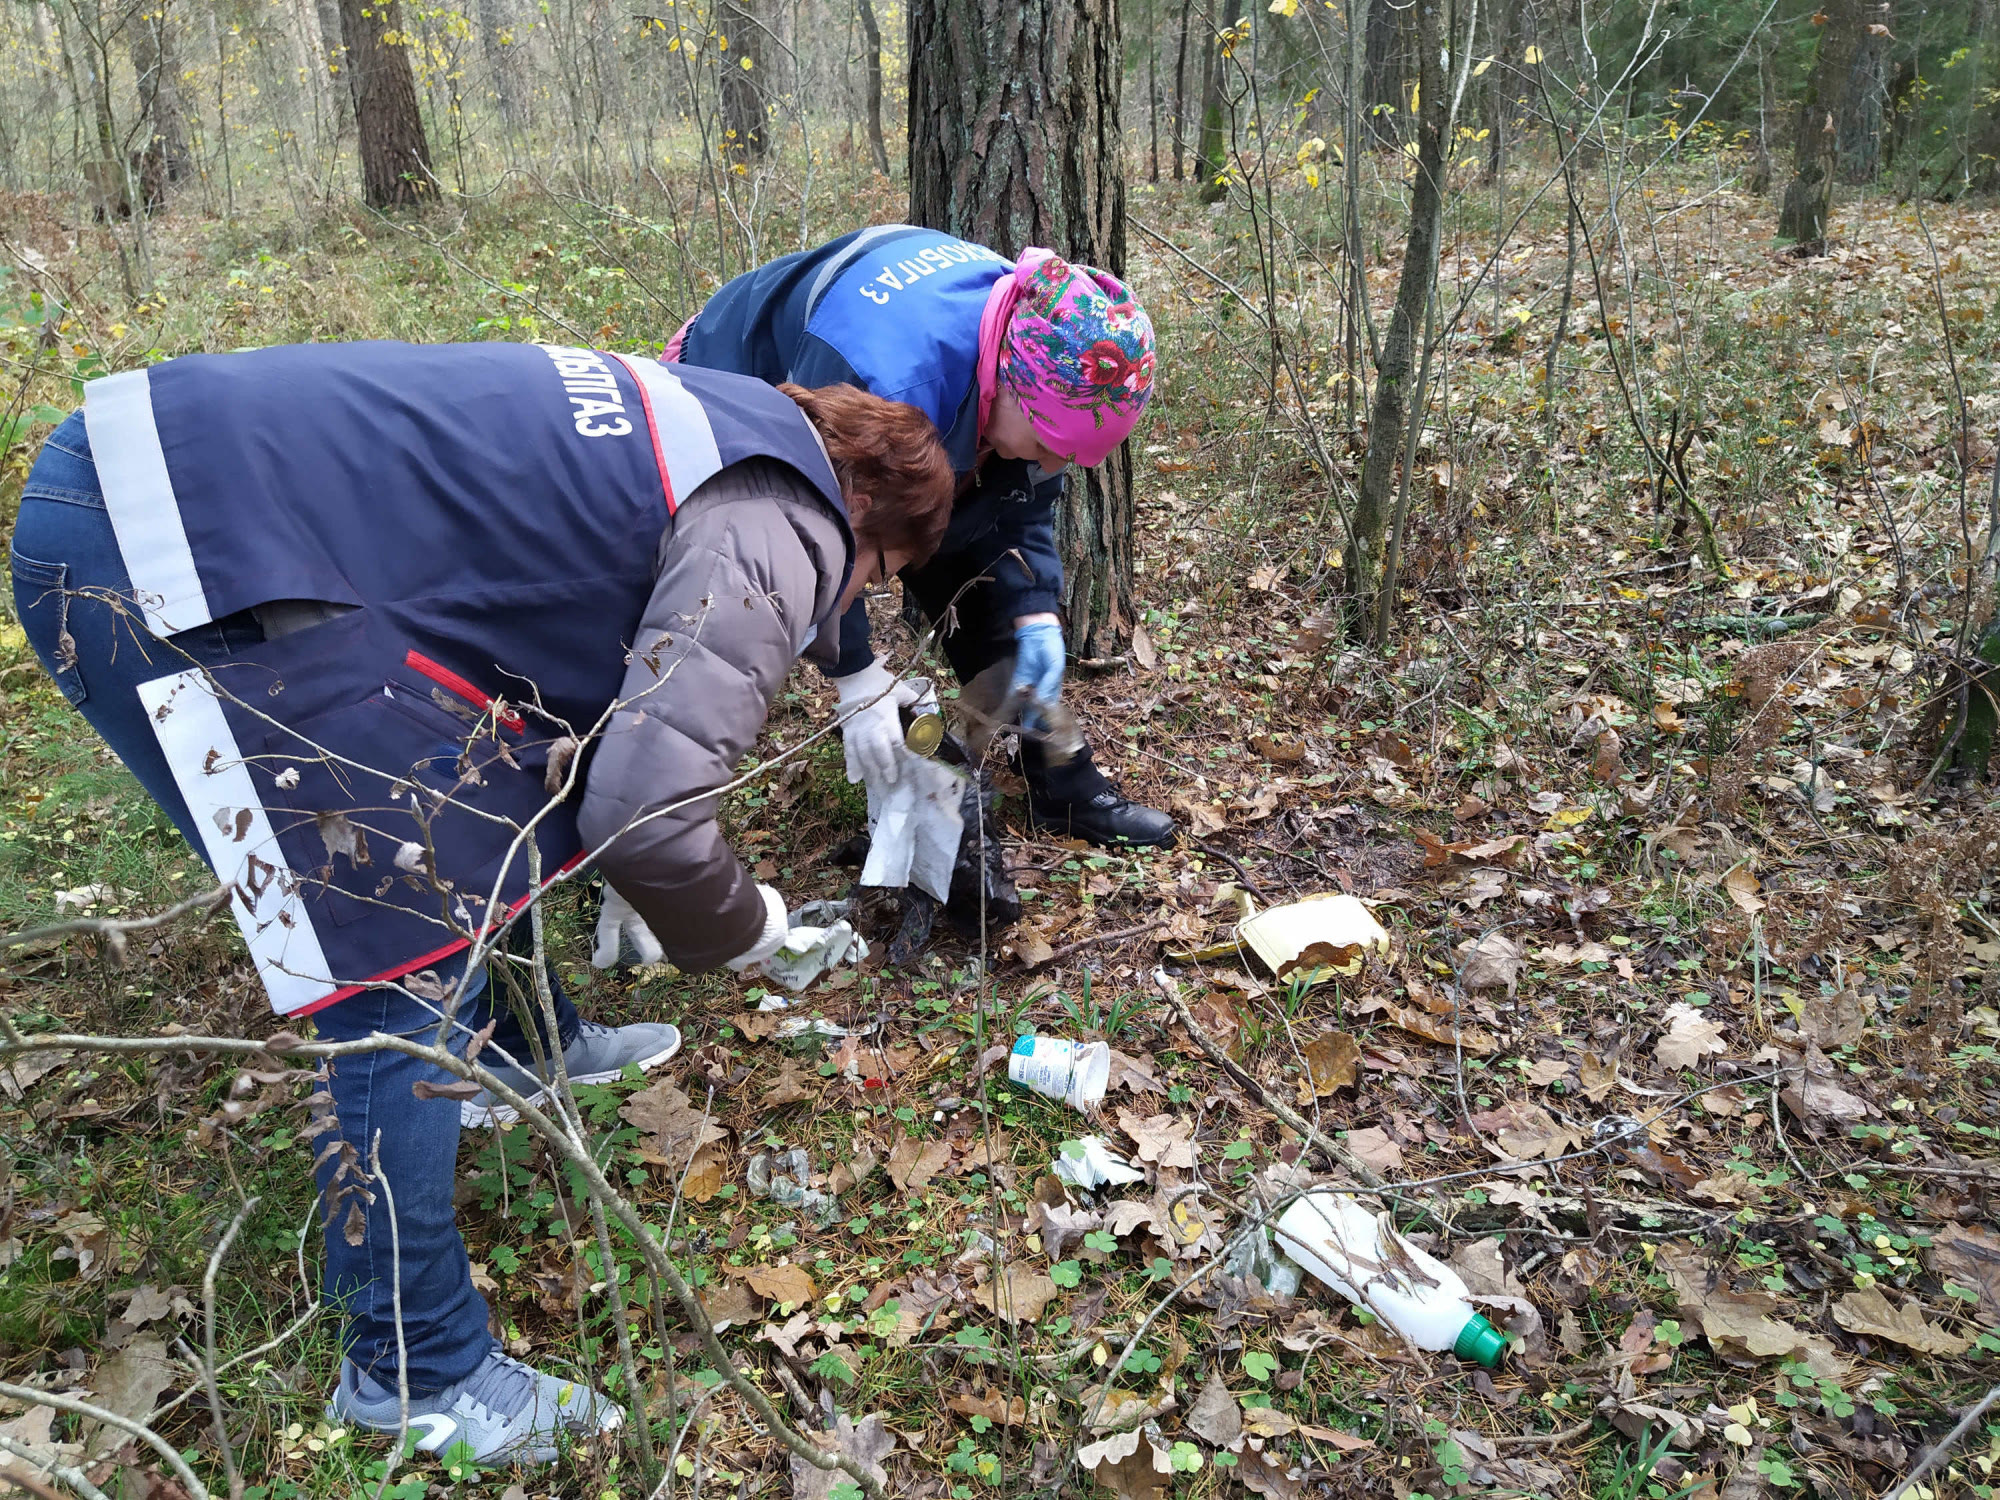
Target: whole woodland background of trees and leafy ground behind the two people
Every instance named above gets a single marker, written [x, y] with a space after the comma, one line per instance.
[1567, 519]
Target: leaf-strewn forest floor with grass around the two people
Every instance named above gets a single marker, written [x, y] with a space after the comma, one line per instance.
[1685, 1055]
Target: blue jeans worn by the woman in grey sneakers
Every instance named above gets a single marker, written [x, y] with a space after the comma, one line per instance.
[67, 581]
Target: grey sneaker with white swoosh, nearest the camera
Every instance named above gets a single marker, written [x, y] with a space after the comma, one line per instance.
[501, 1413]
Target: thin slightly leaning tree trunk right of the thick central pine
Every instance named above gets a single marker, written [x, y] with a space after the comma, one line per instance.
[1391, 411]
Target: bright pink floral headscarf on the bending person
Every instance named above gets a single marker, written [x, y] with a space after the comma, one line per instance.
[1077, 351]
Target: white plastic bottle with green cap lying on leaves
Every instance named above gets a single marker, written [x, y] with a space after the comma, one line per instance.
[1369, 1263]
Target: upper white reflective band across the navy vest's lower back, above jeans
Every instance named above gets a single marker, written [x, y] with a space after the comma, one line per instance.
[139, 497]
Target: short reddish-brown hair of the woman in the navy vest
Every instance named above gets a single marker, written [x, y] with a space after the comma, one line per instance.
[893, 455]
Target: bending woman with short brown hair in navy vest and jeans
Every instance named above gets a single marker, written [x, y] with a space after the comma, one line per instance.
[397, 637]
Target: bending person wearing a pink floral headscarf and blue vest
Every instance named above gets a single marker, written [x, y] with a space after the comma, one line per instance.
[1027, 367]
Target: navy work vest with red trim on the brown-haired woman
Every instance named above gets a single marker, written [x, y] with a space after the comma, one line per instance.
[491, 515]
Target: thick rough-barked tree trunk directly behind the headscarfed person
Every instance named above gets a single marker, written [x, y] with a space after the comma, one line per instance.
[1015, 141]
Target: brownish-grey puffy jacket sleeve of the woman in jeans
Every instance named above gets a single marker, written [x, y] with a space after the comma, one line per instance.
[751, 563]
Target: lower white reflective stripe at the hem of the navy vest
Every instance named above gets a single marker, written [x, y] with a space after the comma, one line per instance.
[209, 769]
